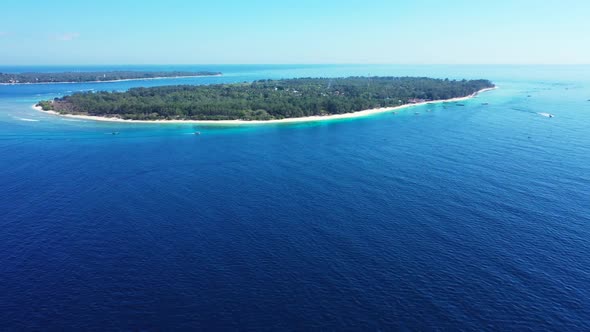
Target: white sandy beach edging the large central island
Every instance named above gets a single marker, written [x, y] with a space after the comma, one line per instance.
[289, 120]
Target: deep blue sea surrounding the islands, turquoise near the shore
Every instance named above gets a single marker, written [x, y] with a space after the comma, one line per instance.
[474, 217]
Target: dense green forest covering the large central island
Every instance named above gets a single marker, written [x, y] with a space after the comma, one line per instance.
[264, 99]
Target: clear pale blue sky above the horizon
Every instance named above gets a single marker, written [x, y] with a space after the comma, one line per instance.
[302, 31]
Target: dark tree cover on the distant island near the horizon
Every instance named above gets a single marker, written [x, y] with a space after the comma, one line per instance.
[100, 76]
